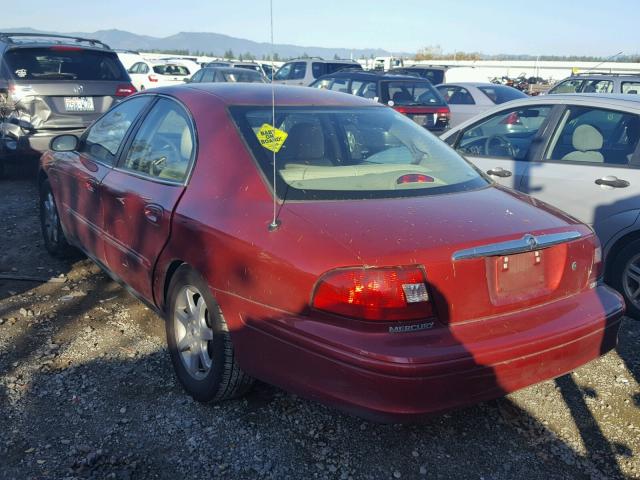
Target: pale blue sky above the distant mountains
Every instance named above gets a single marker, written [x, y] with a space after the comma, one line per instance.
[588, 27]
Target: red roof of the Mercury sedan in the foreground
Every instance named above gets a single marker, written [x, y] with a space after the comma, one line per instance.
[257, 94]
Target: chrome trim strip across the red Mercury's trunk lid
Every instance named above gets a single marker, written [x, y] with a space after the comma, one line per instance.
[527, 243]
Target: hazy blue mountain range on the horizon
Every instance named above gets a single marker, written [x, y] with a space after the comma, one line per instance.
[214, 44]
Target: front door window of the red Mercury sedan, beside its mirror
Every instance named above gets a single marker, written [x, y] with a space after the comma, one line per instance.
[103, 139]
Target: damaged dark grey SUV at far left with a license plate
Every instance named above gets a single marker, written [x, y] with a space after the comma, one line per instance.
[52, 84]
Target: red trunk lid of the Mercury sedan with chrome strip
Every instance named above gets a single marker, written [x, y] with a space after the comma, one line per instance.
[485, 252]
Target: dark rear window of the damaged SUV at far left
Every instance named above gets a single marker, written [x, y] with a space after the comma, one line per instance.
[64, 63]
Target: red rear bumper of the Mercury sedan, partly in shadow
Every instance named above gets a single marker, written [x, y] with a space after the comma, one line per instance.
[403, 377]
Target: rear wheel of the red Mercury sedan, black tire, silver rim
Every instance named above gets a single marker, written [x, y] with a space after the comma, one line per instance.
[223, 379]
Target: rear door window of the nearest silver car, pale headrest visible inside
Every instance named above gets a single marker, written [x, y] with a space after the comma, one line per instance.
[595, 135]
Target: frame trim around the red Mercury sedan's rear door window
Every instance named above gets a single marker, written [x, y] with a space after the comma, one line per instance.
[124, 148]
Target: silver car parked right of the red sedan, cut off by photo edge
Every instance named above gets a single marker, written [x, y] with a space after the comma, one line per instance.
[577, 152]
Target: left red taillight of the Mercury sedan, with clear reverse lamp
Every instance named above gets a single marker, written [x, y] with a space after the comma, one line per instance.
[380, 294]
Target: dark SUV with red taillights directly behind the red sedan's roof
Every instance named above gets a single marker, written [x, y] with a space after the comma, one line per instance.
[412, 96]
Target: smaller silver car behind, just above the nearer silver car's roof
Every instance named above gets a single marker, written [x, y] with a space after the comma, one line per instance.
[468, 99]
